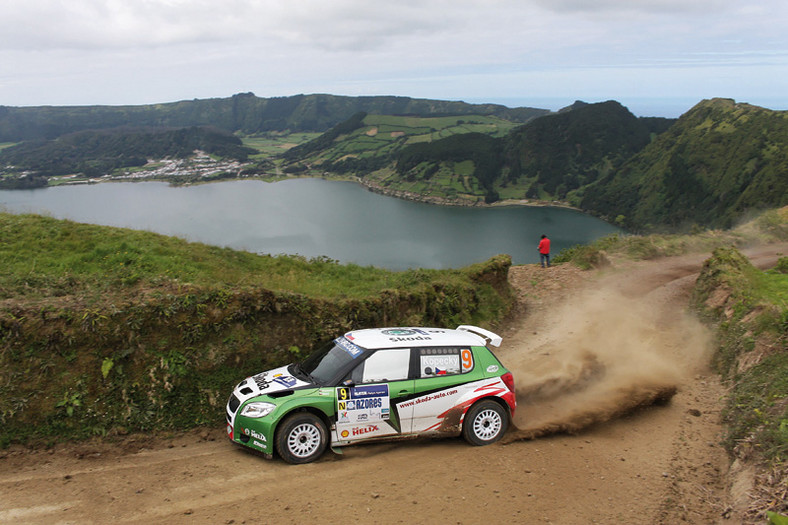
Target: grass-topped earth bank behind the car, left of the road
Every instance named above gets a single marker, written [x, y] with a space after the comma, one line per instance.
[106, 330]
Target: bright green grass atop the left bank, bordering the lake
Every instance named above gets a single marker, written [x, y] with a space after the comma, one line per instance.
[41, 257]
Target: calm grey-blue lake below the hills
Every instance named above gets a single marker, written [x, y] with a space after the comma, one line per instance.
[315, 217]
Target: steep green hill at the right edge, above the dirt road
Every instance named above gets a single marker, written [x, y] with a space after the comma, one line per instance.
[717, 162]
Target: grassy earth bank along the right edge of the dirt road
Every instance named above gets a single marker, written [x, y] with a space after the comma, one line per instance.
[750, 310]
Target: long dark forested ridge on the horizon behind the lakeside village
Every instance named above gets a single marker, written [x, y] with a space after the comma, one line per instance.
[241, 113]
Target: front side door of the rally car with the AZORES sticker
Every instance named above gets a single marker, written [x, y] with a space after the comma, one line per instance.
[370, 406]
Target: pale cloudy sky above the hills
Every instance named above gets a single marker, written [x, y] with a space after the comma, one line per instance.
[657, 57]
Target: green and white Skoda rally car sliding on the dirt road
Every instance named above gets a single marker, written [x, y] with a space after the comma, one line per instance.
[376, 384]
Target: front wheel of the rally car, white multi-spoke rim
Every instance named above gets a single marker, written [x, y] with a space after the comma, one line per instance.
[301, 437]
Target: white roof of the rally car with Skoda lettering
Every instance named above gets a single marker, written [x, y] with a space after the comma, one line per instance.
[407, 337]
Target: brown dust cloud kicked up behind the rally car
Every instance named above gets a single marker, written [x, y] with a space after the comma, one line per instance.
[601, 355]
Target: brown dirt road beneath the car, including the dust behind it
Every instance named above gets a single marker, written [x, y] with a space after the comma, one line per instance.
[585, 348]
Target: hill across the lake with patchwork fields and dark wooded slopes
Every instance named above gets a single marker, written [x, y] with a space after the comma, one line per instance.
[473, 158]
